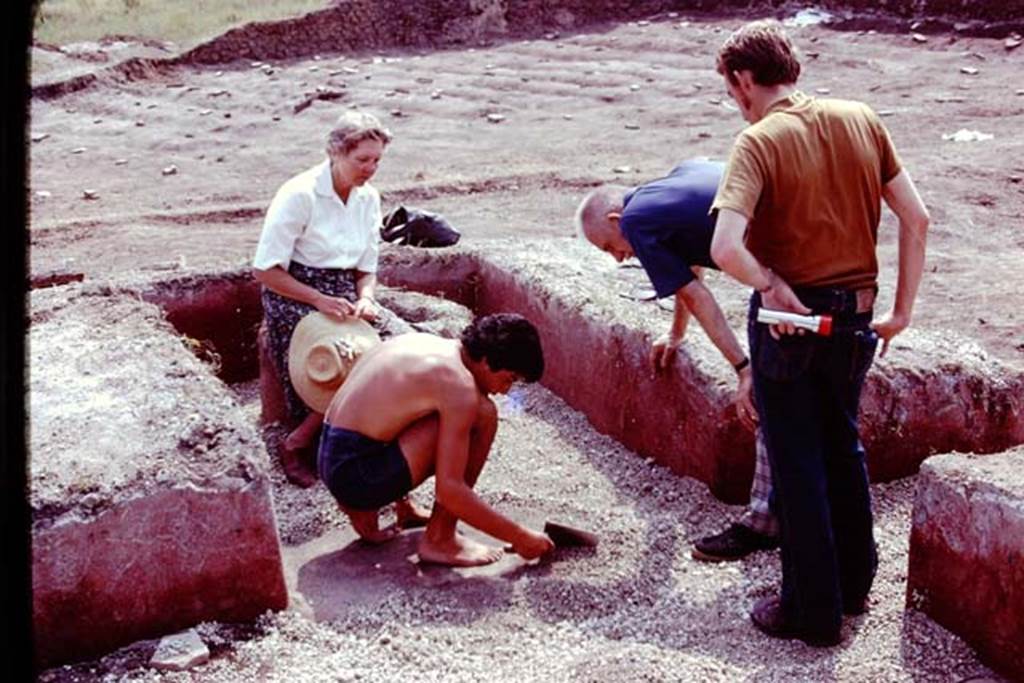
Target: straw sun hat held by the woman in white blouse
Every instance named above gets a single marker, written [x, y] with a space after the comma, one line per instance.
[322, 354]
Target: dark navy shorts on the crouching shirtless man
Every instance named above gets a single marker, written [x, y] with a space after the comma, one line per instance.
[361, 473]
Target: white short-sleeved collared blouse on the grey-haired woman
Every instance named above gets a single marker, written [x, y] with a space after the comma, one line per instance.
[308, 223]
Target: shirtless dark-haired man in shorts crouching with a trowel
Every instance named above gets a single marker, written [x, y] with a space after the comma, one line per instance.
[418, 406]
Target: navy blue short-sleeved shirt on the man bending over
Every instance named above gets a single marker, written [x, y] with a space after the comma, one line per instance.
[668, 224]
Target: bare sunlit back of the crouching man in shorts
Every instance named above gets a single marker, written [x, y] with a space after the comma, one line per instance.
[401, 381]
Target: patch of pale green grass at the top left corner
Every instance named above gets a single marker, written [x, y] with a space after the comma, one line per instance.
[186, 23]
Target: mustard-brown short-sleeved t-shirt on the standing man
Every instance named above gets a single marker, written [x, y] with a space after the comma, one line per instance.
[809, 178]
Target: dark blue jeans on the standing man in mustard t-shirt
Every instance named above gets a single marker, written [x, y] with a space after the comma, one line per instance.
[807, 390]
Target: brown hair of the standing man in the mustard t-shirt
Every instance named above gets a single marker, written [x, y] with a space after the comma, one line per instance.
[764, 50]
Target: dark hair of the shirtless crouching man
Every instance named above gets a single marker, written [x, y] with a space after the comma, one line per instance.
[507, 341]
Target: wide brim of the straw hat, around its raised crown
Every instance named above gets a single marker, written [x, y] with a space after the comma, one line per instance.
[315, 330]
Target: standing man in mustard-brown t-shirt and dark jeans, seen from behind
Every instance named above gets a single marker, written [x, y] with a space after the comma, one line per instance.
[798, 216]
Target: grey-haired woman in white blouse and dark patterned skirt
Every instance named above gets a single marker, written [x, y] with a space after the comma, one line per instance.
[319, 250]
